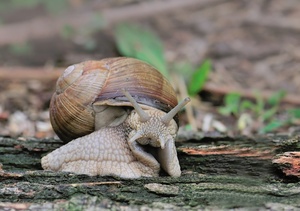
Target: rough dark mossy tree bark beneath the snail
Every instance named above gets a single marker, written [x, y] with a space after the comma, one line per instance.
[218, 173]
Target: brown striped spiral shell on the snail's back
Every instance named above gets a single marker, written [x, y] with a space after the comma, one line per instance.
[100, 83]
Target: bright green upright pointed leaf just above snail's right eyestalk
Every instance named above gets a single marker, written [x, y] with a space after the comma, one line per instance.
[199, 78]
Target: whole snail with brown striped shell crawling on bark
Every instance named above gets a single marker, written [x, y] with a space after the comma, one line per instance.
[116, 117]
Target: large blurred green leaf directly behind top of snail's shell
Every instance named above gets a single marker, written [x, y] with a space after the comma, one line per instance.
[134, 41]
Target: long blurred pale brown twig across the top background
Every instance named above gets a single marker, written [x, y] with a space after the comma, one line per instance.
[43, 27]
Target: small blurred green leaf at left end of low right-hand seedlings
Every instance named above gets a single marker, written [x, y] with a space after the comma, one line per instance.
[232, 103]
